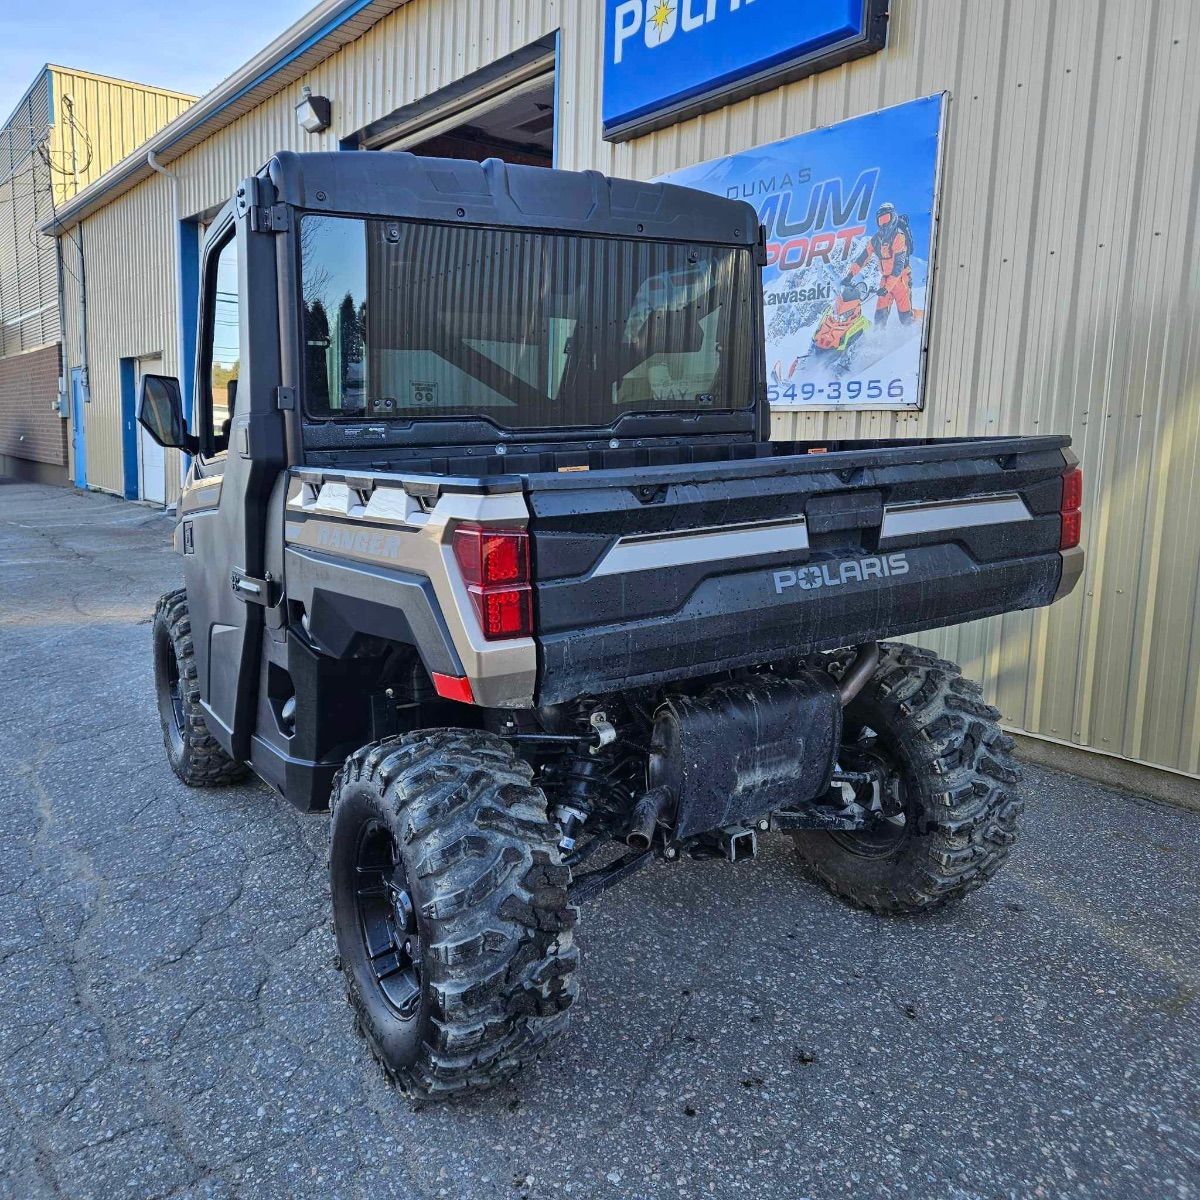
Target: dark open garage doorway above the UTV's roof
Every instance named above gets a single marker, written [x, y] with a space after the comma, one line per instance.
[507, 111]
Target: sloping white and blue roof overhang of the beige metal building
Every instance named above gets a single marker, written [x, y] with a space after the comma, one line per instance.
[320, 34]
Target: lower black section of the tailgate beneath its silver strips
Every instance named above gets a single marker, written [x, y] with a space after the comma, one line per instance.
[767, 615]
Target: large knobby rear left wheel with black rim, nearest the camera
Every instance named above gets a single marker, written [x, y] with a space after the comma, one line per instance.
[467, 970]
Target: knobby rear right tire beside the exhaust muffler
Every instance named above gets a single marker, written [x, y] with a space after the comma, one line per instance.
[958, 782]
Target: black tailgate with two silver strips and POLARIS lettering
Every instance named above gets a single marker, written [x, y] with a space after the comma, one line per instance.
[679, 572]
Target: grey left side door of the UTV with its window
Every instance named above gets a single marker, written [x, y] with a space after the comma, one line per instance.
[242, 443]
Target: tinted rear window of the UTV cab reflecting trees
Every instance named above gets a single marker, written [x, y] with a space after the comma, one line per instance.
[525, 329]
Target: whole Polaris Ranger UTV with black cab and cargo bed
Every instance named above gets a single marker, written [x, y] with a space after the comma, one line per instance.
[487, 545]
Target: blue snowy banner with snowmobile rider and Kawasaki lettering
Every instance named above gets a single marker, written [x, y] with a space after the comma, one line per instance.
[851, 218]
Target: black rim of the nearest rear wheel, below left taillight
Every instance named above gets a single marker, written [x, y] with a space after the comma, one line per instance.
[387, 921]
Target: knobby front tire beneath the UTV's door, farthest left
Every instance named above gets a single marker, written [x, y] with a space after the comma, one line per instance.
[195, 755]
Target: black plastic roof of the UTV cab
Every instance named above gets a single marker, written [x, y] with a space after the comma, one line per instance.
[454, 190]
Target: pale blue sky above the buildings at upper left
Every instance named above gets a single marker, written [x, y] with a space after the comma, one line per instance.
[188, 46]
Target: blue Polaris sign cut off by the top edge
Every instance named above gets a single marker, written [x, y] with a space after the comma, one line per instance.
[669, 59]
